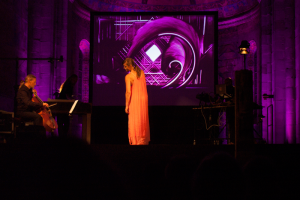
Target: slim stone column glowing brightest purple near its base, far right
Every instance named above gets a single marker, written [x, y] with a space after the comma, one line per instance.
[290, 71]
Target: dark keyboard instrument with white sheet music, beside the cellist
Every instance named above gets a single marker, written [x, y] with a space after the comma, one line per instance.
[74, 107]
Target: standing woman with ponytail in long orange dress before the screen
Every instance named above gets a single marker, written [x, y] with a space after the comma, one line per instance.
[136, 104]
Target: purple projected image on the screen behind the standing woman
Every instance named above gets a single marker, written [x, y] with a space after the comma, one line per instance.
[175, 52]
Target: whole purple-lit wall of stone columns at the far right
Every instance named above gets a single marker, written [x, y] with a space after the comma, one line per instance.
[280, 69]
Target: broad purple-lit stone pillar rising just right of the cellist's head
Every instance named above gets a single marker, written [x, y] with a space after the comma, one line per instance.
[40, 43]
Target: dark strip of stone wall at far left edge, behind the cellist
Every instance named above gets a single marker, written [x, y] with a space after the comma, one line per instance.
[14, 34]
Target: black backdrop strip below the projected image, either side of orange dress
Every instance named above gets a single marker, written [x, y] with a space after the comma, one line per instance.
[168, 125]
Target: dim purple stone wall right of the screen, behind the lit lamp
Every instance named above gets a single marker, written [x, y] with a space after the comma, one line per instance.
[229, 59]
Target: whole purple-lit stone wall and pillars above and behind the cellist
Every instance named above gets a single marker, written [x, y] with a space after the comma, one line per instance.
[32, 29]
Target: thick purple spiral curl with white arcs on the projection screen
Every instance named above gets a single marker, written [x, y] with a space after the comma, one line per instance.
[182, 54]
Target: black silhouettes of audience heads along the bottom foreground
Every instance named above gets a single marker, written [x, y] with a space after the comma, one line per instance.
[68, 168]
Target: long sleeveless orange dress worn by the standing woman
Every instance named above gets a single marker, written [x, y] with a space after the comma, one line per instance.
[138, 119]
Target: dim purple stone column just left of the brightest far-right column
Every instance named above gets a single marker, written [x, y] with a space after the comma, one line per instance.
[278, 71]
